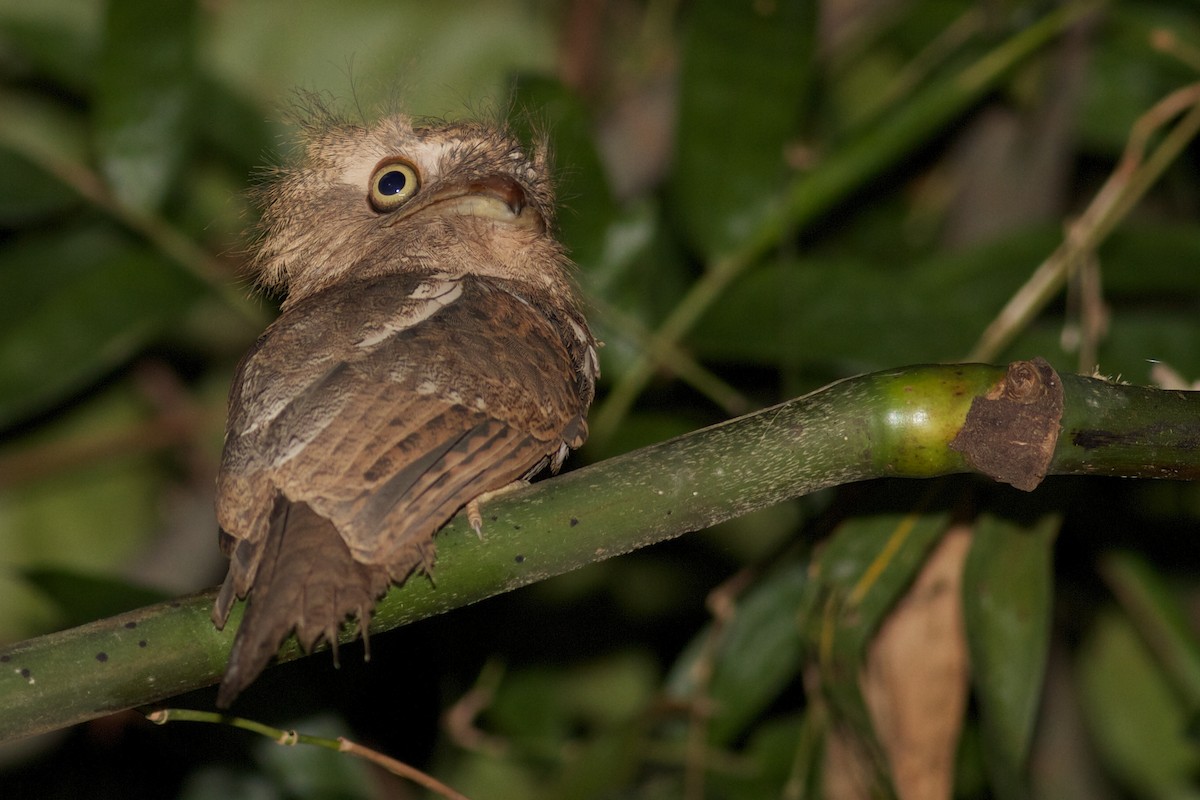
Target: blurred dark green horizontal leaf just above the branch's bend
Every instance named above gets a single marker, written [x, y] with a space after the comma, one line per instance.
[850, 316]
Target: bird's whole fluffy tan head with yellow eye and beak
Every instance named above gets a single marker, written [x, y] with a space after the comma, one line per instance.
[404, 196]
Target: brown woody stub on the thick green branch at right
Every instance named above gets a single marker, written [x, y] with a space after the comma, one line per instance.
[1011, 432]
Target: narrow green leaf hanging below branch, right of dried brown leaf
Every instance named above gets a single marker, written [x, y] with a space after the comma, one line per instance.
[1007, 600]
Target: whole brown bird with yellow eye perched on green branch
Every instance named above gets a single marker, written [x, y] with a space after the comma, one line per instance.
[431, 348]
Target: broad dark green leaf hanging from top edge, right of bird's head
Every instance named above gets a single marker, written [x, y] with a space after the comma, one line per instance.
[746, 71]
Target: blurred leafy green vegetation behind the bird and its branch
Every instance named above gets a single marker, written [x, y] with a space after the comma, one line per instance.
[763, 197]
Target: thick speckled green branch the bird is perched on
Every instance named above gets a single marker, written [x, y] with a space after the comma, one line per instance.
[910, 423]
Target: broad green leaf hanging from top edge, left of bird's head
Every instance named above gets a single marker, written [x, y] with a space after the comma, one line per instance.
[145, 98]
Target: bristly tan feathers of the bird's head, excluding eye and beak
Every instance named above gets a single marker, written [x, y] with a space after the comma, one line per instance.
[317, 226]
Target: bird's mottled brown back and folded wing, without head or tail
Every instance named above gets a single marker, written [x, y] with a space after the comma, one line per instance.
[407, 411]
